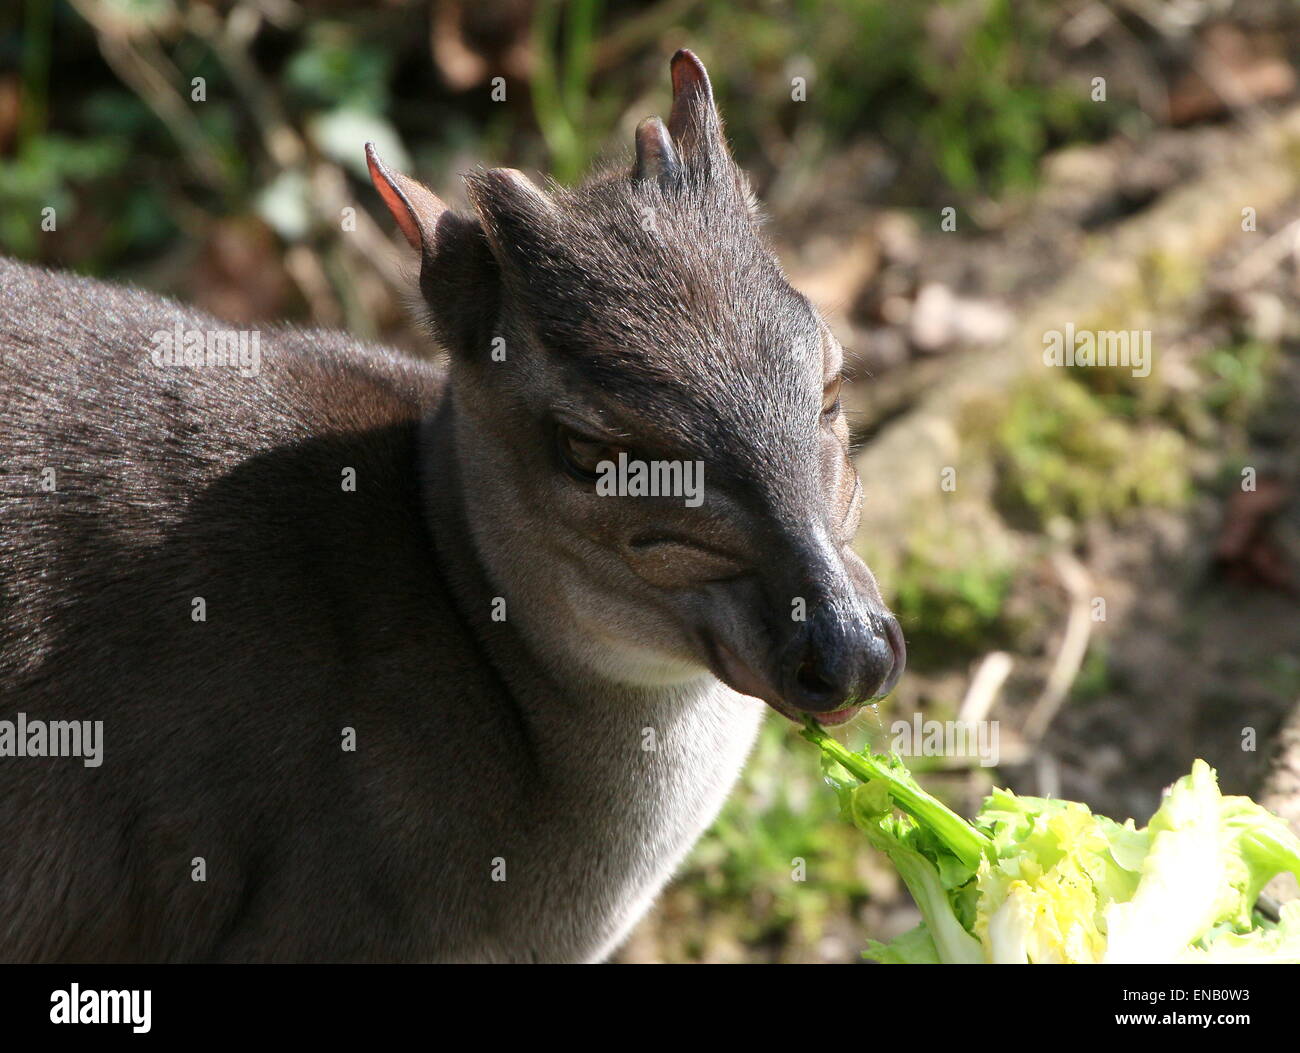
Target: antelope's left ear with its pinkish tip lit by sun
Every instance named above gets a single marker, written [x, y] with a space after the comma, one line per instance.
[458, 276]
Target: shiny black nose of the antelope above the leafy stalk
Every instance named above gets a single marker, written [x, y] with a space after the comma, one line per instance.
[838, 662]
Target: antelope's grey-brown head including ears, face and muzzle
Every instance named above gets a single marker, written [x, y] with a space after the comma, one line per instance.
[645, 323]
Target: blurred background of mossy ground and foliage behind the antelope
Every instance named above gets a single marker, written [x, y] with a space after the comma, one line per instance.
[213, 150]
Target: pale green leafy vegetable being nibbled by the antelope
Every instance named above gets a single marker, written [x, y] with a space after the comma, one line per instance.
[1035, 881]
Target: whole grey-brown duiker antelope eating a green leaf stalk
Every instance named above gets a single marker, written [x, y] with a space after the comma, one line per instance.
[382, 677]
